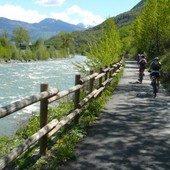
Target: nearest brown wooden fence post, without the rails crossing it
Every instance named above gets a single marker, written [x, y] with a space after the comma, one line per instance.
[43, 120]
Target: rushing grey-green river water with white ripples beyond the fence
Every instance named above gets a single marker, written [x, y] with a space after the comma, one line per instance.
[20, 80]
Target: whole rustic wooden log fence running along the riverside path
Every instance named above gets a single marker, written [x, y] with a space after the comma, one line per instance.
[45, 97]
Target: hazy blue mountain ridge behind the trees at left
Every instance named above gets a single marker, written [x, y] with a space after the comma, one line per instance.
[44, 29]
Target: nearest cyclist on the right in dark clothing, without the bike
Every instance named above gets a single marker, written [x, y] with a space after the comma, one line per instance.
[155, 67]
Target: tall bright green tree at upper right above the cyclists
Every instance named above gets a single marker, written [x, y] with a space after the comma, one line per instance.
[151, 28]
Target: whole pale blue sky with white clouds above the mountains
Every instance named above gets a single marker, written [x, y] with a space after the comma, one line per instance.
[88, 12]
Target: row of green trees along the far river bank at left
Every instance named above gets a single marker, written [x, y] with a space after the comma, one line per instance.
[20, 48]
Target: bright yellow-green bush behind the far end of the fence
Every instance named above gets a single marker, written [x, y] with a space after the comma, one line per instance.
[106, 49]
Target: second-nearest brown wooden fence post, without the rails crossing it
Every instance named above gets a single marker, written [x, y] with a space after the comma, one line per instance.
[77, 97]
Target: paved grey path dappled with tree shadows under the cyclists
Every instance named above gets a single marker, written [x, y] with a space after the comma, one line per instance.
[133, 130]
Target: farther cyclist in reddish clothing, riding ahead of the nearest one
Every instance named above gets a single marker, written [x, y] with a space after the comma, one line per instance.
[142, 65]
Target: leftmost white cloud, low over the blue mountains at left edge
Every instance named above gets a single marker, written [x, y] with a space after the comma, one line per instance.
[18, 13]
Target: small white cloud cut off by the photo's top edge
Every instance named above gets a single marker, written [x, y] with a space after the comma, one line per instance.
[50, 2]
